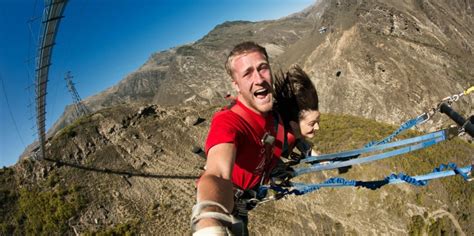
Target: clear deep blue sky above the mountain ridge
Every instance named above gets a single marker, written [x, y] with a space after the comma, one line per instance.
[100, 42]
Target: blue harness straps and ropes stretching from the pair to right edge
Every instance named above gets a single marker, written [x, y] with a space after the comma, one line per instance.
[349, 158]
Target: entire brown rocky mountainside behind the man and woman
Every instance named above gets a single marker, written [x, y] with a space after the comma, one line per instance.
[130, 165]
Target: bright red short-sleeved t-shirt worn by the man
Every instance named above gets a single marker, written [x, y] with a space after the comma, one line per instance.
[229, 127]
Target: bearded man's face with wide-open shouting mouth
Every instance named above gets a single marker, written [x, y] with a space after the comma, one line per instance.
[253, 81]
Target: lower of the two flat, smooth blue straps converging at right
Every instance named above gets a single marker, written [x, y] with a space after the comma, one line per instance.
[338, 164]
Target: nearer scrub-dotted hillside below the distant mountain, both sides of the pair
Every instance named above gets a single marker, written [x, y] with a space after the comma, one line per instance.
[132, 169]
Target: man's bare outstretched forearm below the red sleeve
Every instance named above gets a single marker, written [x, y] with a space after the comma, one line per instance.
[215, 184]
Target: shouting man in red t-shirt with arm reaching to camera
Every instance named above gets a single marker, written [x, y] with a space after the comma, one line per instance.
[236, 155]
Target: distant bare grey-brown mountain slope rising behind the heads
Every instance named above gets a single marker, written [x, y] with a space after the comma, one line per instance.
[381, 60]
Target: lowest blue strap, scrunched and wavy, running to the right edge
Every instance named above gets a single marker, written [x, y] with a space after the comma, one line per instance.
[420, 180]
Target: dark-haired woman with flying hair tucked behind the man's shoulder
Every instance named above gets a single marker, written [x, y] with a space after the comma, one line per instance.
[297, 104]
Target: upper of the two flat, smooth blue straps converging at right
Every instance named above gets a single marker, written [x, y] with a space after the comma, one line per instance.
[332, 156]
